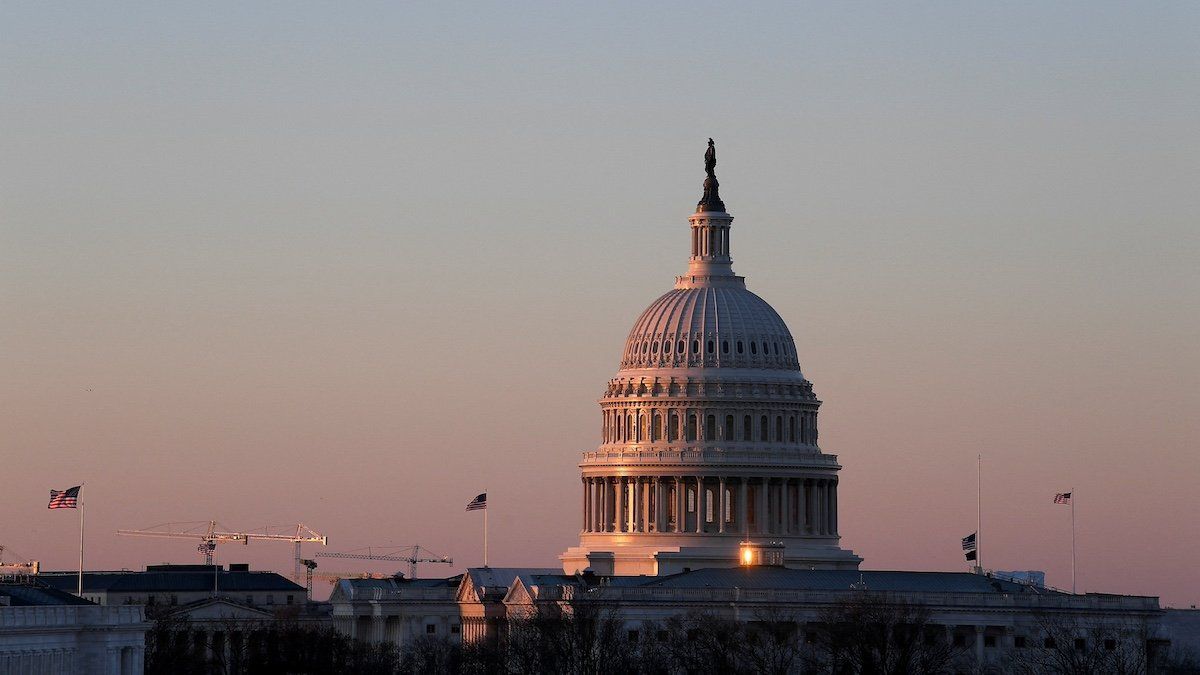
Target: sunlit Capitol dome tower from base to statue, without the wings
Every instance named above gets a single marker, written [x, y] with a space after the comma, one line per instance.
[710, 432]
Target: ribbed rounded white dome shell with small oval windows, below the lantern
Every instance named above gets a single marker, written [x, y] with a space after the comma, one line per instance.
[710, 327]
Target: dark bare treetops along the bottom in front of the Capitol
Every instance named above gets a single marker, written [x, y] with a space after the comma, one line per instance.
[866, 636]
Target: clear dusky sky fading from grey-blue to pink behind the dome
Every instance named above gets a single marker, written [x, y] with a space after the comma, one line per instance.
[350, 266]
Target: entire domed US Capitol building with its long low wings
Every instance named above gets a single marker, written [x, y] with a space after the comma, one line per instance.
[710, 495]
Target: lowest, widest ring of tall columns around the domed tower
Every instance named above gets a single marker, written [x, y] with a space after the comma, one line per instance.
[710, 505]
